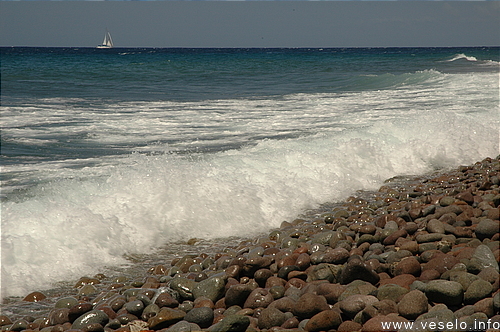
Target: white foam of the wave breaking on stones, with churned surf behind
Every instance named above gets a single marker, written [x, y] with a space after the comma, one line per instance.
[91, 216]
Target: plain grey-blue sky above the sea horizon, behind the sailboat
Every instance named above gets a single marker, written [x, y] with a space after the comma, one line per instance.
[251, 23]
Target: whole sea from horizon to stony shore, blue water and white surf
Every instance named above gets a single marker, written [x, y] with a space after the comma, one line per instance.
[118, 151]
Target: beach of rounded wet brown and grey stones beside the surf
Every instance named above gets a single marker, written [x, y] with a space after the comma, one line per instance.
[421, 252]
